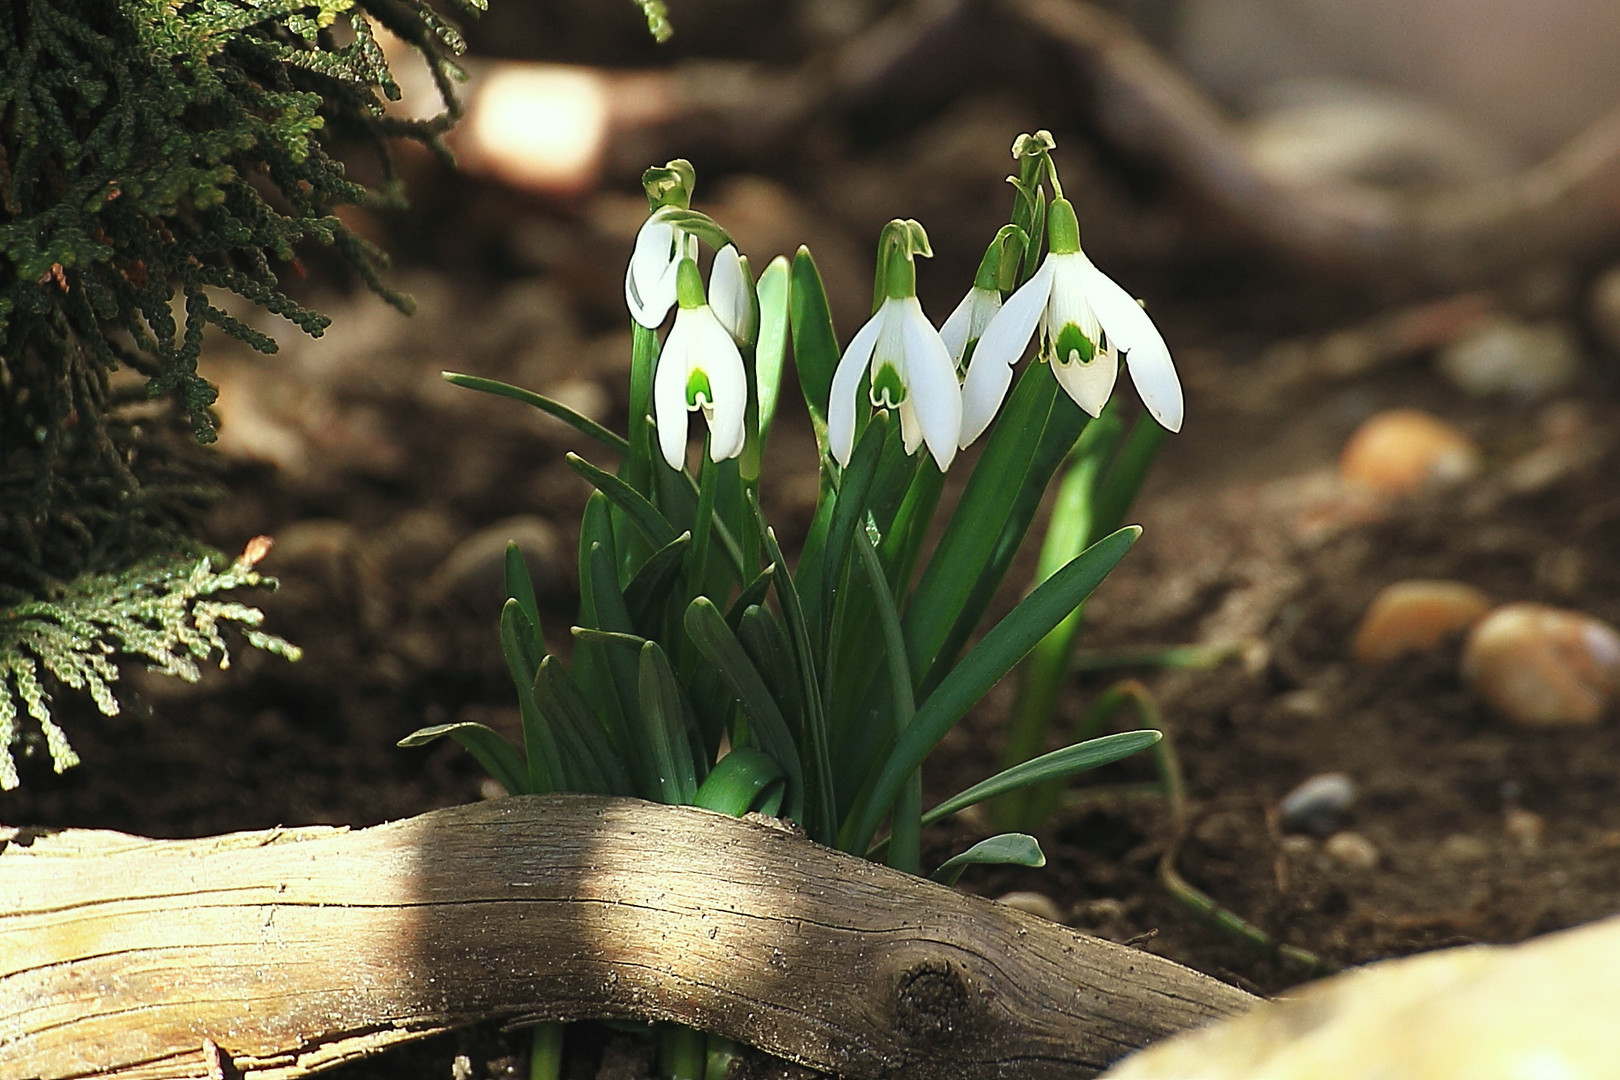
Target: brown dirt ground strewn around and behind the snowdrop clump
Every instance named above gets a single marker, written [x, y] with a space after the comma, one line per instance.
[391, 496]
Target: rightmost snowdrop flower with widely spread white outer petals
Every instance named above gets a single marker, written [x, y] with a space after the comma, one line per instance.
[1086, 325]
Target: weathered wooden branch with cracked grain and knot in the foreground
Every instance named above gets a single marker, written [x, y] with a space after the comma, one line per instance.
[275, 955]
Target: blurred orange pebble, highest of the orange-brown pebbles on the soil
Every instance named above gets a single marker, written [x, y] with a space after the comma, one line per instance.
[1404, 451]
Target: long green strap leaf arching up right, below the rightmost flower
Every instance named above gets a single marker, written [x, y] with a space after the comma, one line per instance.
[979, 671]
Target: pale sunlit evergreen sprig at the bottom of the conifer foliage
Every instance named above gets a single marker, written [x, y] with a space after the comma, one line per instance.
[164, 611]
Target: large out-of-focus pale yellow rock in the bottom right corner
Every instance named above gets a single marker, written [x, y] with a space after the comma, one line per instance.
[1481, 1013]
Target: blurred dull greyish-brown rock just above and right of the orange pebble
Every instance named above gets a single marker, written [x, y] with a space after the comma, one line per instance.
[1522, 360]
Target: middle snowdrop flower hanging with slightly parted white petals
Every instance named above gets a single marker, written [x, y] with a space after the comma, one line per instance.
[911, 373]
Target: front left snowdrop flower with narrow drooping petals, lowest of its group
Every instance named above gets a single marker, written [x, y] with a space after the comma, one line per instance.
[699, 370]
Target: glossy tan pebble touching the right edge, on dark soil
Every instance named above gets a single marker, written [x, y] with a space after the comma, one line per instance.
[1543, 666]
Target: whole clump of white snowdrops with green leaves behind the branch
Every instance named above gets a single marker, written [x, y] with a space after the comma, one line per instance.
[710, 671]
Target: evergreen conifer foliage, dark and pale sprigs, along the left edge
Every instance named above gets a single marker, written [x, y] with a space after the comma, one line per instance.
[156, 156]
